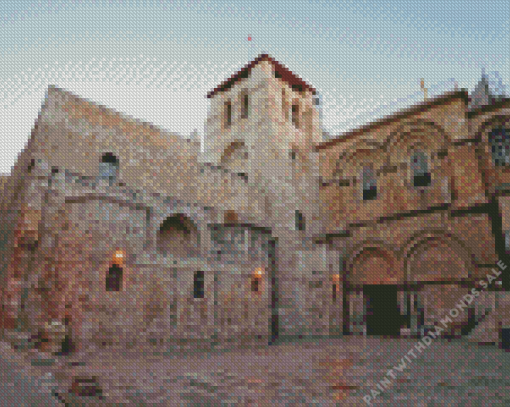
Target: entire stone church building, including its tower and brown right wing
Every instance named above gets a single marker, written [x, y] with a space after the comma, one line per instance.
[128, 234]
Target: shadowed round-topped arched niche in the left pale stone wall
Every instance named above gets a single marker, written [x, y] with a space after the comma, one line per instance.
[178, 235]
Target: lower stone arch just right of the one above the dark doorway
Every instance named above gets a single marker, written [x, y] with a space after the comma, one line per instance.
[423, 247]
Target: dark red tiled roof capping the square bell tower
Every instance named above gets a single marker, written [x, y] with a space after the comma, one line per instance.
[281, 71]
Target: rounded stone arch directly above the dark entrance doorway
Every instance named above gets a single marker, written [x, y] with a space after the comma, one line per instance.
[373, 263]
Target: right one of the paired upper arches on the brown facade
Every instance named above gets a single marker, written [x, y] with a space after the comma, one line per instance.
[434, 138]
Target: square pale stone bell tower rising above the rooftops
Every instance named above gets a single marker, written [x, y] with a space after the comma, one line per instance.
[258, 118]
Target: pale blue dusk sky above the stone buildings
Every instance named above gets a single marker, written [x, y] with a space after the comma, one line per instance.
[156, 60]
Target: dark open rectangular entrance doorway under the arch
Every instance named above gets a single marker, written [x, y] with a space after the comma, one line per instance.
[383, 316]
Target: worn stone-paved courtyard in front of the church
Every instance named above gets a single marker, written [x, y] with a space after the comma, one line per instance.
[302, 373]
